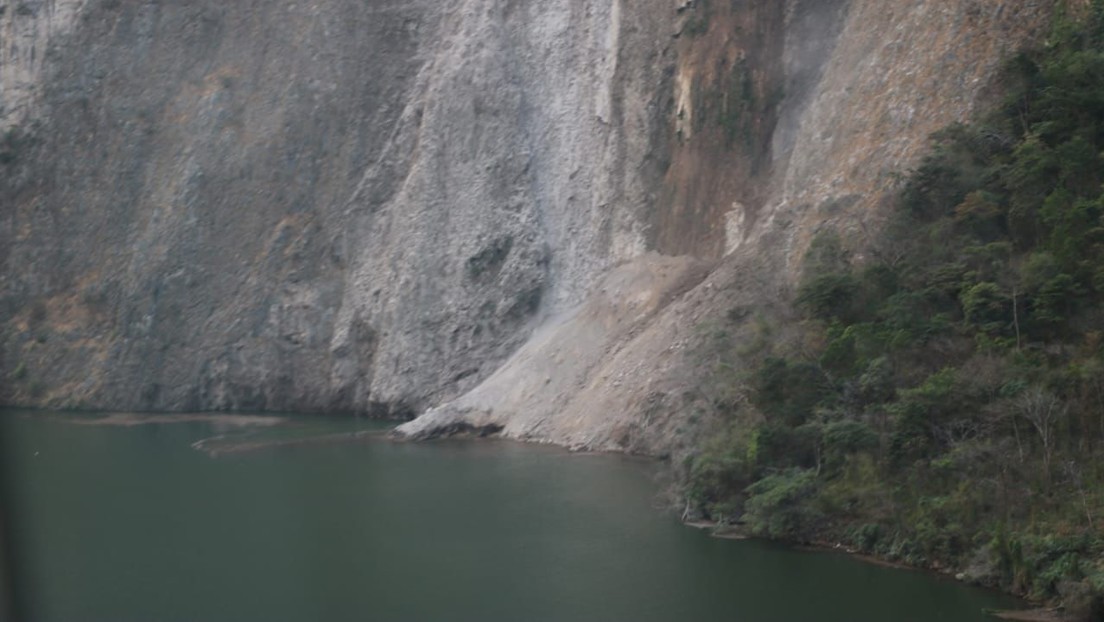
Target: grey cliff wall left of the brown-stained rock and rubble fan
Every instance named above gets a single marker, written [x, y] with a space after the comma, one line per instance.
[341, 206]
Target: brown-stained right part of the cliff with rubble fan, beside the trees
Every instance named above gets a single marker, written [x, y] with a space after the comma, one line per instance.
[866, 85]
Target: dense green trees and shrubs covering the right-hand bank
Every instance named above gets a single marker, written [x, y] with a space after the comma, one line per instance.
[946, 407]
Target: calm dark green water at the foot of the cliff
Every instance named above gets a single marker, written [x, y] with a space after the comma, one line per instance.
[133, 523]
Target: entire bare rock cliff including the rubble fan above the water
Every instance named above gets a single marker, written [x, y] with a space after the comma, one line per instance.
[513, 213]
